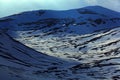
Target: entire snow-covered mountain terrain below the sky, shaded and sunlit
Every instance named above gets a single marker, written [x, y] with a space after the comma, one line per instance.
[82, 44]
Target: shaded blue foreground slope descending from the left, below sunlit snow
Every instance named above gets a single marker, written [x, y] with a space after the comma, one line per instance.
[18, 62]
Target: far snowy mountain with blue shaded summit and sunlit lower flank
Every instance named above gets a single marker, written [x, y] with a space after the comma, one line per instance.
[65, 33]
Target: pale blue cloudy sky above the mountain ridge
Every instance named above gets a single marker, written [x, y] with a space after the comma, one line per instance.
[8, 7]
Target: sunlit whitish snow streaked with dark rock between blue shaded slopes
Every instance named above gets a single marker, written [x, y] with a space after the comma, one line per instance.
[77, 47]
